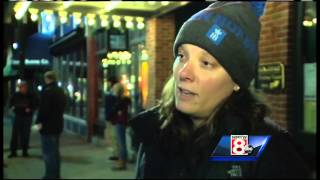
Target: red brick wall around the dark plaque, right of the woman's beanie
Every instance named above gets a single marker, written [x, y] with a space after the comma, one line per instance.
[276, 45]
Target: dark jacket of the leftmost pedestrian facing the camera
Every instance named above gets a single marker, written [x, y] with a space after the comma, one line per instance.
[20, 102]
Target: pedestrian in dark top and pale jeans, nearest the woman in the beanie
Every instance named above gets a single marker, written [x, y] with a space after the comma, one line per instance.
[120, 119]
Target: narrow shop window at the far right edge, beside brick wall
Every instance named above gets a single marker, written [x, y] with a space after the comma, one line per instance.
[309, 67]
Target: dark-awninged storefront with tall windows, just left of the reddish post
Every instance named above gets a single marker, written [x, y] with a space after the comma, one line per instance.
[70, 63]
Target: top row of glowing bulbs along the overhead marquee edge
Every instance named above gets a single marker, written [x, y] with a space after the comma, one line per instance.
[91, 18]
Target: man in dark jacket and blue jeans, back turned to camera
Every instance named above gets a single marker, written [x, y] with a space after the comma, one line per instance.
[50, 124]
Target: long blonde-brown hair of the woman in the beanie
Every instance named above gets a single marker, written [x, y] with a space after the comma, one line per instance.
[178, 132]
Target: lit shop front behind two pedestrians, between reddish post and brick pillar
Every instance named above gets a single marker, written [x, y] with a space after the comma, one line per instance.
[118, 54]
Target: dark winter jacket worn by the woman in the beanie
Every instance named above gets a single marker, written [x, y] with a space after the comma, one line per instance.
[280, 159]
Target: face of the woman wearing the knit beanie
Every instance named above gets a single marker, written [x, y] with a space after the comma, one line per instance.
[201, 83]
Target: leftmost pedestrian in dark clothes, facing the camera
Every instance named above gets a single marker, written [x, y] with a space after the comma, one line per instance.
[23, 103]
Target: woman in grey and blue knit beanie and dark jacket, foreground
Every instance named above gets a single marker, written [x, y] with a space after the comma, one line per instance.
[207, 97]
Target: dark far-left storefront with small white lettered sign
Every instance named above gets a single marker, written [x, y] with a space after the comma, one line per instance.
[28, 65]
